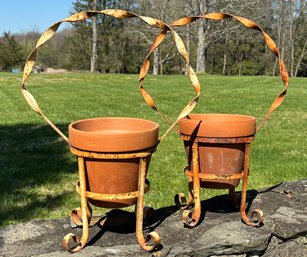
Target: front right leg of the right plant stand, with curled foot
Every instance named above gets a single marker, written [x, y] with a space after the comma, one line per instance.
[257, 216]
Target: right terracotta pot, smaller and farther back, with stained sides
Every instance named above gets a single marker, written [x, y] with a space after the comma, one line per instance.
[218, 158]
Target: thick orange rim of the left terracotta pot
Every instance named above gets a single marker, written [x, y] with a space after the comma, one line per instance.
[113, 134]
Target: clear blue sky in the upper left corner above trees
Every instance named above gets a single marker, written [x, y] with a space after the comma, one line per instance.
[25, 15]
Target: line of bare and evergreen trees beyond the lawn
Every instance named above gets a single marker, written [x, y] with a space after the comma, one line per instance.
[107, 45]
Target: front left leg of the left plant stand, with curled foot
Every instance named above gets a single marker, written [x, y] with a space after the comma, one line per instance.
[85, 223]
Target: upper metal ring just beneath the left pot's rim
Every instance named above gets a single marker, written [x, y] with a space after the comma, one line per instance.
[95, 155]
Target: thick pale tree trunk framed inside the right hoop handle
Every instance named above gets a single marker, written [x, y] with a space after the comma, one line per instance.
[201, 59]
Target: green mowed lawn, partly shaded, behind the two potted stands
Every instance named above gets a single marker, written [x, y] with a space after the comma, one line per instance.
[38, 173]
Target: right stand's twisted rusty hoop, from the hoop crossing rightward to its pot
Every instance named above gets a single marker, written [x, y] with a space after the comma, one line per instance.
[268, 40]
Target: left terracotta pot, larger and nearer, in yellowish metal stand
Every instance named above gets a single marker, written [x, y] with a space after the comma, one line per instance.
[113, 135]
